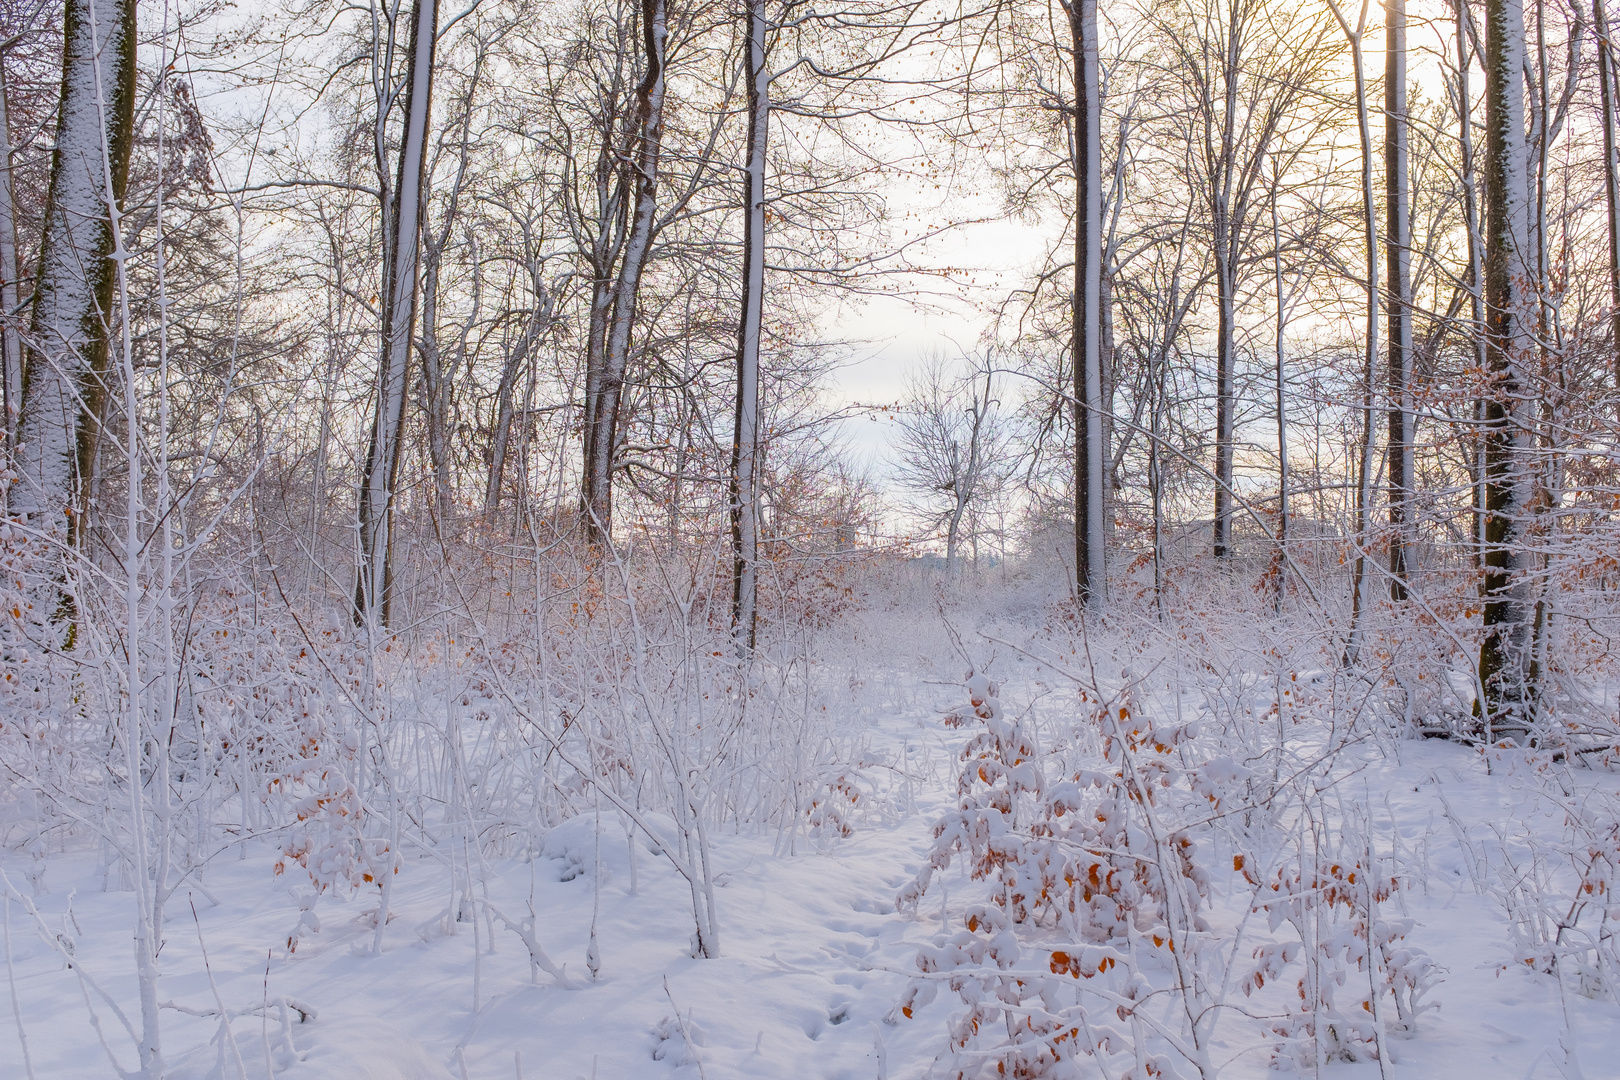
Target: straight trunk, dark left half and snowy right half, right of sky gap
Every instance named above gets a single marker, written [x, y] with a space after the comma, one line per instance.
[1091, 454]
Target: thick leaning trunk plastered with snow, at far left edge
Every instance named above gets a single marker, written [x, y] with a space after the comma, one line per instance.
[66, 378]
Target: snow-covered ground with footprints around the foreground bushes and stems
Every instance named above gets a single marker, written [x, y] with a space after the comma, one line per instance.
[814, 953]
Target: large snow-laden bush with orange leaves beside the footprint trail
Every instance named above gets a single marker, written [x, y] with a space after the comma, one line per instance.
[1091, 890]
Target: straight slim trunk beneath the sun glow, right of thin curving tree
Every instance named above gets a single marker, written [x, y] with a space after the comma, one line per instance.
[1399, 245]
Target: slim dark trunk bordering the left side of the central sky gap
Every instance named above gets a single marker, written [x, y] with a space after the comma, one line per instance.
[746, 436]
